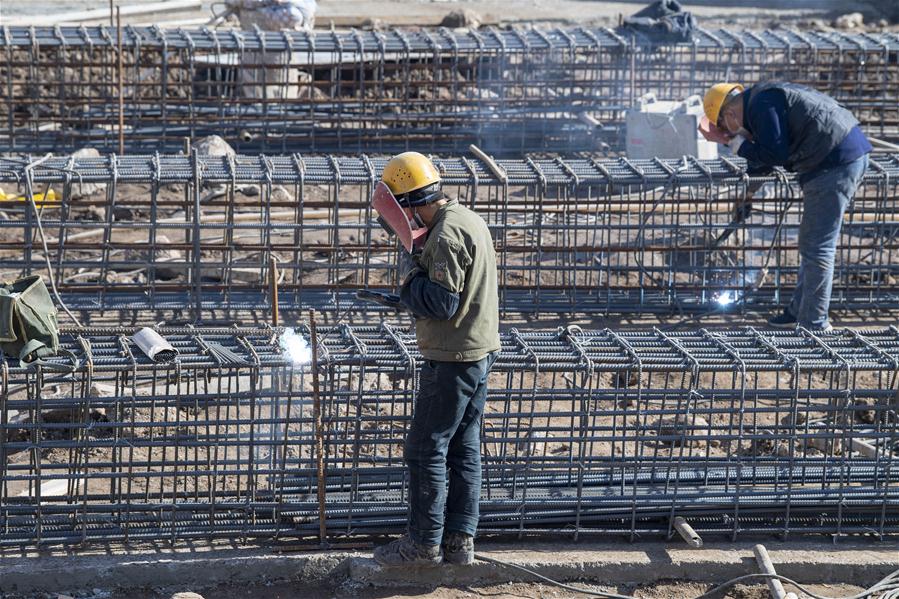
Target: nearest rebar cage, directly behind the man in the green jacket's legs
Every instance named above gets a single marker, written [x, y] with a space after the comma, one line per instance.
[585, 432]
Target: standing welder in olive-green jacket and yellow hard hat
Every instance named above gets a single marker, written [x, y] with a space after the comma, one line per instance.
[450, 285]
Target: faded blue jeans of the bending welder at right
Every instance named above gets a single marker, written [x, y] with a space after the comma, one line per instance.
[827, 195]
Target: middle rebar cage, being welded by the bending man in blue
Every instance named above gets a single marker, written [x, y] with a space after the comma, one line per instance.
[192, 236]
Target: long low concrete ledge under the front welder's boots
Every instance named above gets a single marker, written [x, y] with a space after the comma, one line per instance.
[810, 561]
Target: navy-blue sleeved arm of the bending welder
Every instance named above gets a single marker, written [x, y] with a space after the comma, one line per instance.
[770, 145]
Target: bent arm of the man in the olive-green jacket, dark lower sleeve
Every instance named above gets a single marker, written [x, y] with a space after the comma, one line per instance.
[436, 293]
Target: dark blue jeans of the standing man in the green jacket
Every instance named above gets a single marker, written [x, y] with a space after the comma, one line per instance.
[446, 436]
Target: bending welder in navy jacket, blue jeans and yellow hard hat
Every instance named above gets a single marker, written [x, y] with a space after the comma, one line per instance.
[789, 125]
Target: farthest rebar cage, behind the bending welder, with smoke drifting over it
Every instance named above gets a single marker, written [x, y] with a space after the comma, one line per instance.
[510, 91]
